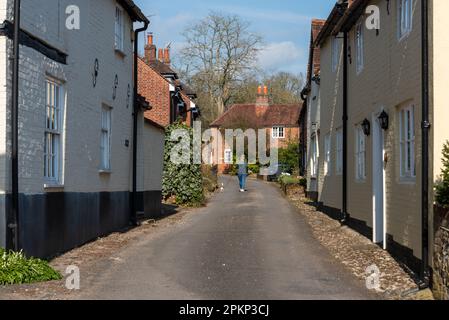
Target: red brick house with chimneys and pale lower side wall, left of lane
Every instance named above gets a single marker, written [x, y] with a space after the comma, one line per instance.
[168, 99]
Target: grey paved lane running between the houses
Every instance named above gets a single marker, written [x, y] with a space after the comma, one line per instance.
[242, 246]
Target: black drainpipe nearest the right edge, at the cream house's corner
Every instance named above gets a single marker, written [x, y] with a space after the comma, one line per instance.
[425, 274]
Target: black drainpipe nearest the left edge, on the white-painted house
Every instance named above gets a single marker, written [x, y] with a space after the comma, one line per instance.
[14, 226]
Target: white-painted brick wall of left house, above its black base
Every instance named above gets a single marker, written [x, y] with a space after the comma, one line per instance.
[95, 39]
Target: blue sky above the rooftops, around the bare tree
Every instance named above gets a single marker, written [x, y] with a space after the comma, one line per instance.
[284, 25]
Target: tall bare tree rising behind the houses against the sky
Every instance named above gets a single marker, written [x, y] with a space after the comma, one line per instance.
[219, 50]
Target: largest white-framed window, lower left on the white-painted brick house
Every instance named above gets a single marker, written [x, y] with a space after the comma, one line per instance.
[53, 132]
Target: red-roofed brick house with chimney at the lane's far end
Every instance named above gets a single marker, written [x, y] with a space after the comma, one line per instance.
[281, 121]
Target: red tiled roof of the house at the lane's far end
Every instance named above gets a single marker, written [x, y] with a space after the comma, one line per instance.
[254, 116]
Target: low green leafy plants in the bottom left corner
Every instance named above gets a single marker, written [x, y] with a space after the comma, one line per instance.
[15, 268]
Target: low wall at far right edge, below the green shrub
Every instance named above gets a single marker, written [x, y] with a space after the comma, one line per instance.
[441, 255]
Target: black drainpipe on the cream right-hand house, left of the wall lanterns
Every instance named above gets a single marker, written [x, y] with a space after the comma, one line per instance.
[344, 209]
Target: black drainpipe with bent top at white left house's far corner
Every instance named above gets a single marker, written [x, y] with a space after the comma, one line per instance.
[133, 215]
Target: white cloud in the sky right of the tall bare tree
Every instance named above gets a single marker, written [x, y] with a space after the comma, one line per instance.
[280, 56]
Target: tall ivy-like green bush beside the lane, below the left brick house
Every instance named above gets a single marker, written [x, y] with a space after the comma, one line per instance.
[182, 182]
